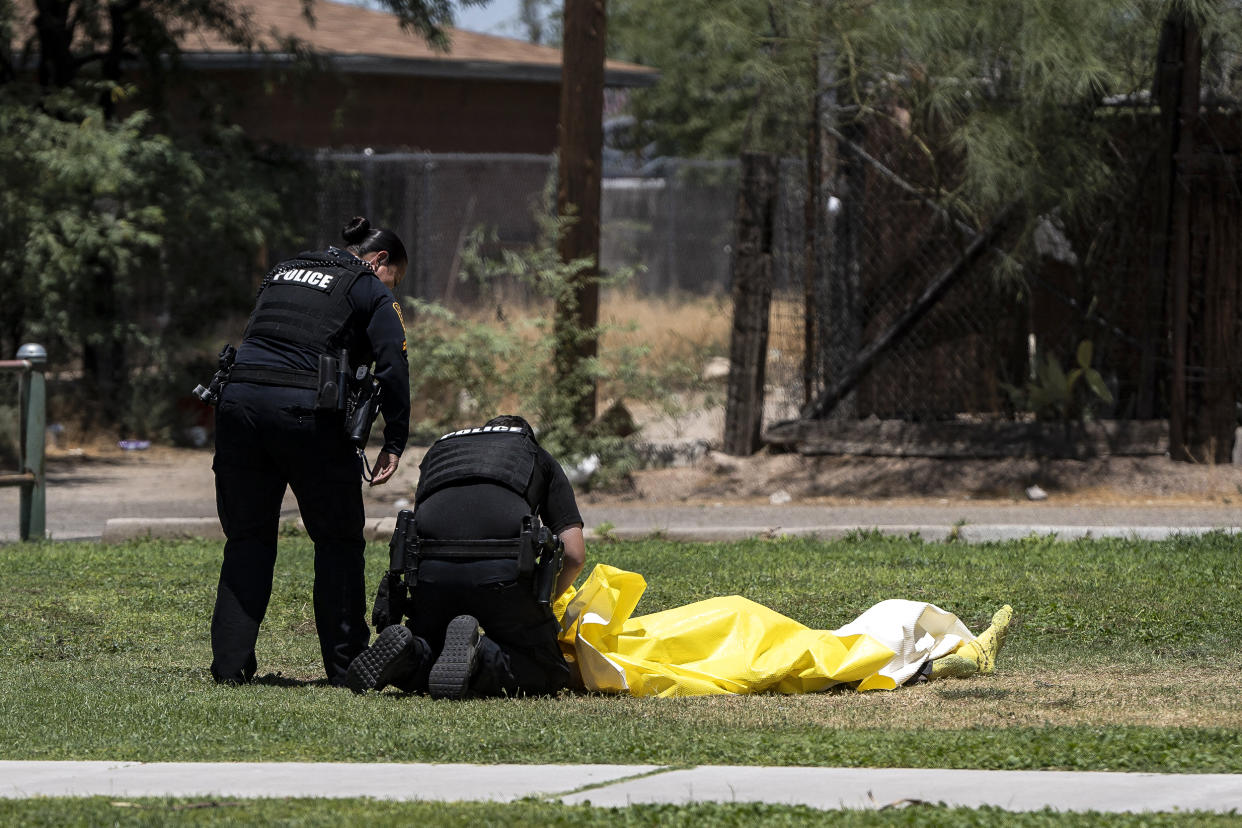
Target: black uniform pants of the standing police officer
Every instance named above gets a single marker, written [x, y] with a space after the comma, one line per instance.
[270, 438]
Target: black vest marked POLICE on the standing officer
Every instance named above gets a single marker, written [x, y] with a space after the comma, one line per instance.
[305, 302]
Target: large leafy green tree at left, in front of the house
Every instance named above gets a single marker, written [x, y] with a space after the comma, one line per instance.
[130, 230]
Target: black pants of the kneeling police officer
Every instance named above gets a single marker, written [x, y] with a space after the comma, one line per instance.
[519, 652]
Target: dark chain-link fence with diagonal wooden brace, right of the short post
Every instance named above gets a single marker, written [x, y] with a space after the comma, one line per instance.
[981, 349]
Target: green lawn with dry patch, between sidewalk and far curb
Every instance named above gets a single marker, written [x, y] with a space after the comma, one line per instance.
[1125, 657]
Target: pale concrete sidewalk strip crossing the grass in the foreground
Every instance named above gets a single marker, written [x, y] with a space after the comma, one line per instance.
[623, 785]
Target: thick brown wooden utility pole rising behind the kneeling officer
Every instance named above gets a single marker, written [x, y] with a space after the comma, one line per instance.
[578, 196]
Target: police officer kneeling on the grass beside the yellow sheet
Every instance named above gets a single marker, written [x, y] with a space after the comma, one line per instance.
[495, 537]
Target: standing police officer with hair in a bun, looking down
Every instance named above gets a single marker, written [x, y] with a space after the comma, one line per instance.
[279, 425]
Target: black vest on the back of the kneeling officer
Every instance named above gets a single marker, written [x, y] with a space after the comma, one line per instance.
[504, 455]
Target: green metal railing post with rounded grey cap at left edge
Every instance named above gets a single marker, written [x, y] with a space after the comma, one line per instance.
[33, 479]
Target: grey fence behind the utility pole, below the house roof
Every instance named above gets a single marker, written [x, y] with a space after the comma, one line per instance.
[671, 227]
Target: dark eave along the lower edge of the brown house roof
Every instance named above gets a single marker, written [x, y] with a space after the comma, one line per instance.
[418, 68]
